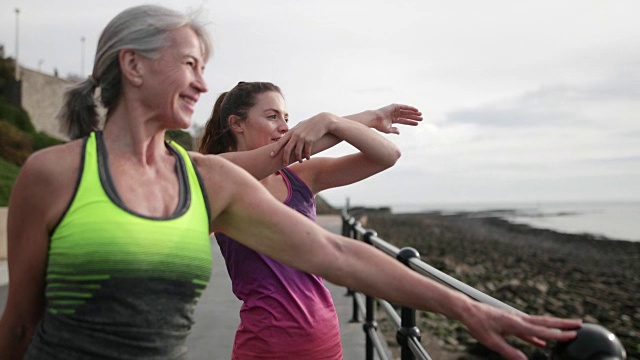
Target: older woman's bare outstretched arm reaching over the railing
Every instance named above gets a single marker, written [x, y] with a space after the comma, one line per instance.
[238, 200]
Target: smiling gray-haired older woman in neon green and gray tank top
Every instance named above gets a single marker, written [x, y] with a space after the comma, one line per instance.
[109, 233]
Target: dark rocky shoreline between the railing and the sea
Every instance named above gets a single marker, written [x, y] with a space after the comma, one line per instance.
[534, 270]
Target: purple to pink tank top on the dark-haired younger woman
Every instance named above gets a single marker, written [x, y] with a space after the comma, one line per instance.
[286, 313]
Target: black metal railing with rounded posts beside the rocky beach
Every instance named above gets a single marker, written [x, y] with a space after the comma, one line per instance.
[593, 342]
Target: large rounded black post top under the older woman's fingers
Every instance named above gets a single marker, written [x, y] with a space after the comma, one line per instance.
[593, 342]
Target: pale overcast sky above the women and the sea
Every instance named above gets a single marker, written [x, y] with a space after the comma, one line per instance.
[523, 101]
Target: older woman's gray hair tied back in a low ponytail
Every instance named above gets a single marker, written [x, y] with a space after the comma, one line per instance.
[141, 28]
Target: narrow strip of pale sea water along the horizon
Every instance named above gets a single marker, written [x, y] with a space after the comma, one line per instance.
[613, 220]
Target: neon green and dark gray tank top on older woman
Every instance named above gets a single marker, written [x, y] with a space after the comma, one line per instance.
[120, 285]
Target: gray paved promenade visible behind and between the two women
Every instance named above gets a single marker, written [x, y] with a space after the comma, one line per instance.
[217, 312]
